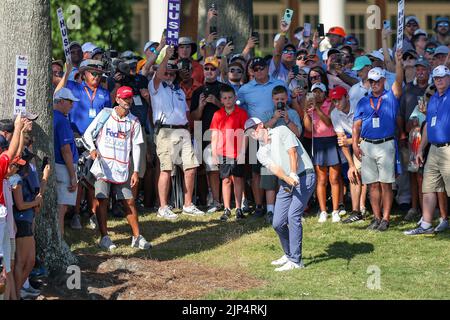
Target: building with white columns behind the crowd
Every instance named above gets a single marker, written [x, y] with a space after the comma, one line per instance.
[150, 17]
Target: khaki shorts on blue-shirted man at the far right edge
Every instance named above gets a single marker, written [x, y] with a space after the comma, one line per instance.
[436, 174]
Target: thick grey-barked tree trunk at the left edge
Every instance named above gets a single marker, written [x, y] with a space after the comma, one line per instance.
[25, 30]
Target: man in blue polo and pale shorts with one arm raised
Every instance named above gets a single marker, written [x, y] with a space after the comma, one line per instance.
[375, 123]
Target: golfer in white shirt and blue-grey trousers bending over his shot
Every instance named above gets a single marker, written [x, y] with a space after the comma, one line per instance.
[284, 155]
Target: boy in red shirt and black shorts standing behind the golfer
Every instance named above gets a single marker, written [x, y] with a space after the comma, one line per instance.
[228, 149]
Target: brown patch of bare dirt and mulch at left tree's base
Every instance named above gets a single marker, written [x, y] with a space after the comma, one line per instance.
[118, 278]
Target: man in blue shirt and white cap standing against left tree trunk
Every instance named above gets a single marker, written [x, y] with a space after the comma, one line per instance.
[66, 153]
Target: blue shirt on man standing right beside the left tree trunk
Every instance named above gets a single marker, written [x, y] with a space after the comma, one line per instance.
[63, 135]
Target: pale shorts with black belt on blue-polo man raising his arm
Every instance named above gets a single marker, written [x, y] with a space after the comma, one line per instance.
[378, 162]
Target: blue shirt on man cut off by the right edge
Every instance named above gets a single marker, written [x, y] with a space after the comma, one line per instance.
[438, 118]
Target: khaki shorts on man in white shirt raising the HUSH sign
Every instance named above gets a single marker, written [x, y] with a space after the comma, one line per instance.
[174, 147]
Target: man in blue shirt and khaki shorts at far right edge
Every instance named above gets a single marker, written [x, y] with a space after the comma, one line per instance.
[436, 175]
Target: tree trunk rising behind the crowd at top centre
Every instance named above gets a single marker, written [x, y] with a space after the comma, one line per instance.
[235, 20]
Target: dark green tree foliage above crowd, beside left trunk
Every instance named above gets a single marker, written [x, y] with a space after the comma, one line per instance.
[96, 20]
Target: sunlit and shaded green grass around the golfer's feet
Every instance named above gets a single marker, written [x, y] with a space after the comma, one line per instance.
[337, 256]
